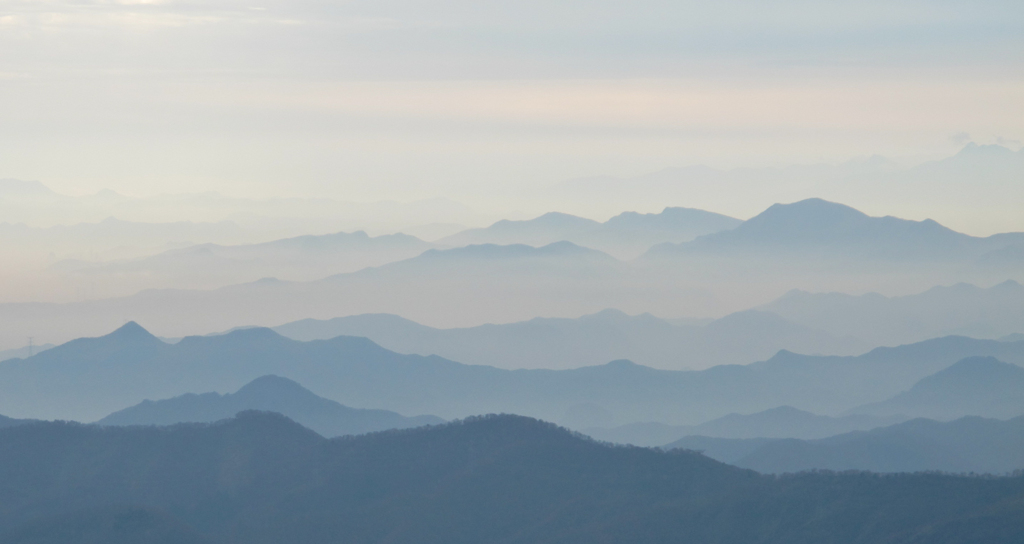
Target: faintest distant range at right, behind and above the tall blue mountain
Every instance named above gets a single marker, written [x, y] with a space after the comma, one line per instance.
[987, 204]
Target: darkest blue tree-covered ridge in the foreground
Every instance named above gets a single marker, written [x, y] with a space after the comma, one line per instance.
[261, 478]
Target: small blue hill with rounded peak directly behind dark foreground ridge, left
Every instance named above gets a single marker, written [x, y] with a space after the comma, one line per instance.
[269, 394]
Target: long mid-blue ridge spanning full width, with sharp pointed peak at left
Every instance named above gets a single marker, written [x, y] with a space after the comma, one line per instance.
[90, 379]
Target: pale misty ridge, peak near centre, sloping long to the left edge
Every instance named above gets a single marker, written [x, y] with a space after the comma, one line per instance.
[477, 284]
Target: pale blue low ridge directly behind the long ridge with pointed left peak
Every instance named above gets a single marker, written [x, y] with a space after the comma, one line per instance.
[563, 344]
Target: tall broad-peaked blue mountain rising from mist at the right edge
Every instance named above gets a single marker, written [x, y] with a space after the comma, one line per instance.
[820, 246]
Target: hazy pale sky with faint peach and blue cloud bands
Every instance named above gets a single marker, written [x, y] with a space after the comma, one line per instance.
[479, 100]
